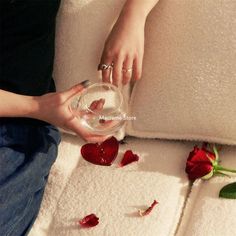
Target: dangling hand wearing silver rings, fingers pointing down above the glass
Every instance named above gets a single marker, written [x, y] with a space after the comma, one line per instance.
[124, 50]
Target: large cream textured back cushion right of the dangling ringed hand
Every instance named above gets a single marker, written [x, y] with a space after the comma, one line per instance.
[188, 89]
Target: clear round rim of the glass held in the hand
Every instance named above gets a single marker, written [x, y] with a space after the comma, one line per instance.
[116, 89]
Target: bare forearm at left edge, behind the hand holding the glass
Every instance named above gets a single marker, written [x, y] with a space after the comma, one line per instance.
[15, 105]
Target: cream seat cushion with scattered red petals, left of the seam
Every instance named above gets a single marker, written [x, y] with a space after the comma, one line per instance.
[77, 188]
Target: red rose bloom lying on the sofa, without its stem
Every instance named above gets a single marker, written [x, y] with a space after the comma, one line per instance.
[200, 163]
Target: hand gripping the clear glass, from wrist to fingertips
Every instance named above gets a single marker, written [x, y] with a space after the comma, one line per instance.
[54, 108]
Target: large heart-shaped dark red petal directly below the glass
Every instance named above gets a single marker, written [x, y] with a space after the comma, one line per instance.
[101, 154]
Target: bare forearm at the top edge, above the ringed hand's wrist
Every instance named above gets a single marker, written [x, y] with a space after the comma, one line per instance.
[138, 8]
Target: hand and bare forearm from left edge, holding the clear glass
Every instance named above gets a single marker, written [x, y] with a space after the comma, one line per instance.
[53, 108]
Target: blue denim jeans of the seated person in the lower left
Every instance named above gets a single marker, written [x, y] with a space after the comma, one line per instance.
[27, 152]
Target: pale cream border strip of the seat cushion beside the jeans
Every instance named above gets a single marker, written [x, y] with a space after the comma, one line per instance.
[68, 155]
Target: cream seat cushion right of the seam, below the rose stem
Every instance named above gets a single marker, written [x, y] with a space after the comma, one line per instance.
[206, 213]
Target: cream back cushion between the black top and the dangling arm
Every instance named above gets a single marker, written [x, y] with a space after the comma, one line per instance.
[82, 28]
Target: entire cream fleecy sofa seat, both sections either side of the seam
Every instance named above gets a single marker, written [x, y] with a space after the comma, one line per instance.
[77, 188]
